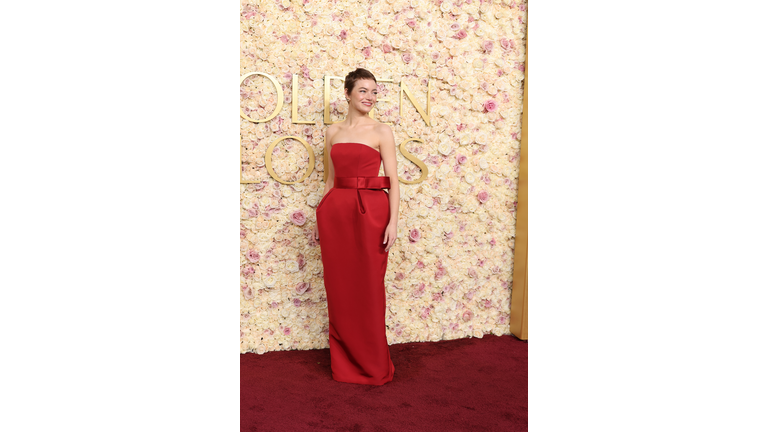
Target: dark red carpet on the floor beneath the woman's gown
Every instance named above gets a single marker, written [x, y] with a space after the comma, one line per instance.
[457, 385]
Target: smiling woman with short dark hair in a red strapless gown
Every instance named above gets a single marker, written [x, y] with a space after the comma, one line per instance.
[356, 227]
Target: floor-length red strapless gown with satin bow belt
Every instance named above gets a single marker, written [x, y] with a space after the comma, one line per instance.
[352, 218]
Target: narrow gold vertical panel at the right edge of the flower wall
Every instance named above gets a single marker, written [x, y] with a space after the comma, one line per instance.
[518, 317]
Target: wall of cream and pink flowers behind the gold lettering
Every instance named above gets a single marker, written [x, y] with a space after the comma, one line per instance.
[450, 272]
